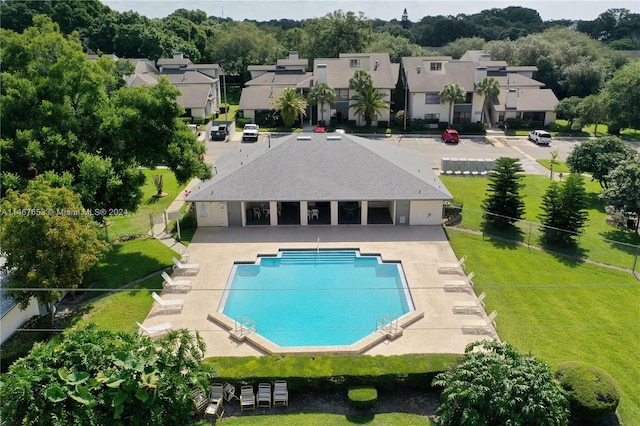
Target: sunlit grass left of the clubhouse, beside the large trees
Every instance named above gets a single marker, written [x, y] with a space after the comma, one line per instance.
[138, 223]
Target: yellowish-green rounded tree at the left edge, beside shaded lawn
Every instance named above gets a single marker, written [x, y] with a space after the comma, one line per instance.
[49, 240]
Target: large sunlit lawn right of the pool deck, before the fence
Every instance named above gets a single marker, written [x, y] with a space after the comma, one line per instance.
[560, 310]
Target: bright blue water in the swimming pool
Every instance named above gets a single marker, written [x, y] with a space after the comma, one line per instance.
[309, 298]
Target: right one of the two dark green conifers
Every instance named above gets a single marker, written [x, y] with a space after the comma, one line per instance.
[564, 210]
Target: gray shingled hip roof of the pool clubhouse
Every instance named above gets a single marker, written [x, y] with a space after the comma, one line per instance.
[319, 169]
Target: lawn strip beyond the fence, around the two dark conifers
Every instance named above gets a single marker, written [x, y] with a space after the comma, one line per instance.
[600, 241]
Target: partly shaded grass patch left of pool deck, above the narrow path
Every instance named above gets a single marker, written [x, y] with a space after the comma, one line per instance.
[129, 261]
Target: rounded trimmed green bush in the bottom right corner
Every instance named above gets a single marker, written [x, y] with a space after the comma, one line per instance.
[592, 391]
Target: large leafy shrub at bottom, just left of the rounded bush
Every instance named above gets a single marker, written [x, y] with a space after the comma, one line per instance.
[497, 385]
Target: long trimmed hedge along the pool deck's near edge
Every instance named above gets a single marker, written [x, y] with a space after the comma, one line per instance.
[328, 372]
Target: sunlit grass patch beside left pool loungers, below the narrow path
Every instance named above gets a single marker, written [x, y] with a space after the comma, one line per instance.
[119, 311]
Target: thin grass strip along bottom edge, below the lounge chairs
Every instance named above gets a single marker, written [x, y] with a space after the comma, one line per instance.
[315, 419]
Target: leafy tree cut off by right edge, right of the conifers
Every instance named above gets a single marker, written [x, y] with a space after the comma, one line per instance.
[623, 191]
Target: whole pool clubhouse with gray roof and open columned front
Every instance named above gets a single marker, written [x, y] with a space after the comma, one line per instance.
[320, 178]
